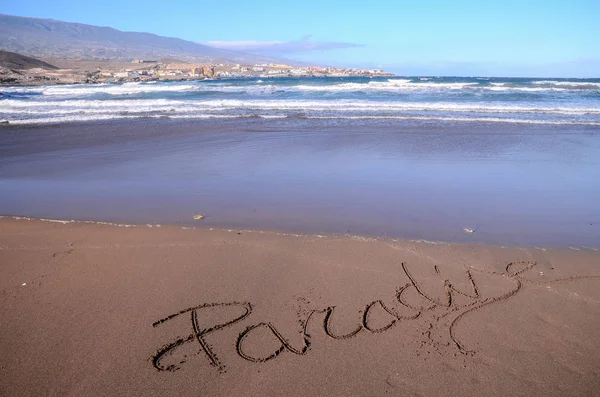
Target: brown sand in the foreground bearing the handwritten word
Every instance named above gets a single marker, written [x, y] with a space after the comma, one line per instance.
[101, 310]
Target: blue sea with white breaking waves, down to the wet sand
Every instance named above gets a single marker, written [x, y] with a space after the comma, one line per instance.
[416, 100]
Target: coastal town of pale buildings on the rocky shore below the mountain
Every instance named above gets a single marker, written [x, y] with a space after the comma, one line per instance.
[60, 71]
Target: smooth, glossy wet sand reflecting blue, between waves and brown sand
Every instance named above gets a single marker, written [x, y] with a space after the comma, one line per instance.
[523, 185]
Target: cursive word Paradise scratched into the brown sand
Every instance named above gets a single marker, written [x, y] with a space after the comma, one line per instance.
[441, 314]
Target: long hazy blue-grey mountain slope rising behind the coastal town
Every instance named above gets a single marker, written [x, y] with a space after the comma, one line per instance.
[47, 38]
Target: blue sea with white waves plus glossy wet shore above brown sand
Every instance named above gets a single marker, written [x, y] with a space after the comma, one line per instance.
[515, 160]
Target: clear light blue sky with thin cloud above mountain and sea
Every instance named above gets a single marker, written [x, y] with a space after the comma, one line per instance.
[428, 37]
